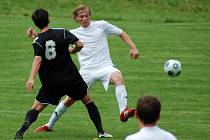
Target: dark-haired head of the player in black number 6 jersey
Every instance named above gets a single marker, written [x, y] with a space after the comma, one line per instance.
[40, 18]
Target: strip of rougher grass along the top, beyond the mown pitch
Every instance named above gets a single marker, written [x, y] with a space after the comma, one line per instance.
[126, 10]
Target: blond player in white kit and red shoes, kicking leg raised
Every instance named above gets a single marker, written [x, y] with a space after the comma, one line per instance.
[95, 61]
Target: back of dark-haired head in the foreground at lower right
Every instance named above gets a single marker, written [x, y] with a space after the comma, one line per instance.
[148, 109]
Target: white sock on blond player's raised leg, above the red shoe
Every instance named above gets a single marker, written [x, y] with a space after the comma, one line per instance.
[121, 96]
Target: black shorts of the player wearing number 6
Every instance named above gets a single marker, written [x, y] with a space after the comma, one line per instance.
[53, 95]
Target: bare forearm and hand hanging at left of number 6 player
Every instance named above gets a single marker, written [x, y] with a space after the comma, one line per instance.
[34, 69]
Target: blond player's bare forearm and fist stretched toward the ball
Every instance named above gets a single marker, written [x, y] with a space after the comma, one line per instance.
[133, 50]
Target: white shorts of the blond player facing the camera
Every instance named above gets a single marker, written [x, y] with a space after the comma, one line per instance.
[101, 74]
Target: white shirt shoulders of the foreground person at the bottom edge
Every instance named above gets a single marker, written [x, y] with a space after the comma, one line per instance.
[151, 133]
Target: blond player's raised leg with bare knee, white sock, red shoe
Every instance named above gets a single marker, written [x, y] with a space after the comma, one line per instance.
[121, 95]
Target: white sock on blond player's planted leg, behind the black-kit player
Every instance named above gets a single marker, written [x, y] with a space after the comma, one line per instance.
[59, 111]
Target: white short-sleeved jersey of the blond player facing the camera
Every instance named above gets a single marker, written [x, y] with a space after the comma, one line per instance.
[95, 52]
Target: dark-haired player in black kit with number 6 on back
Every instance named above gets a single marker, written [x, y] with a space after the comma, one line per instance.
[57, 72]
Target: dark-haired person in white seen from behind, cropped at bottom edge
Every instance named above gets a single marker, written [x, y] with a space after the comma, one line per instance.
[147, 114]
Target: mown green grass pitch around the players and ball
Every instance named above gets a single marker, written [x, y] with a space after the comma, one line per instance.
[185, 99]
